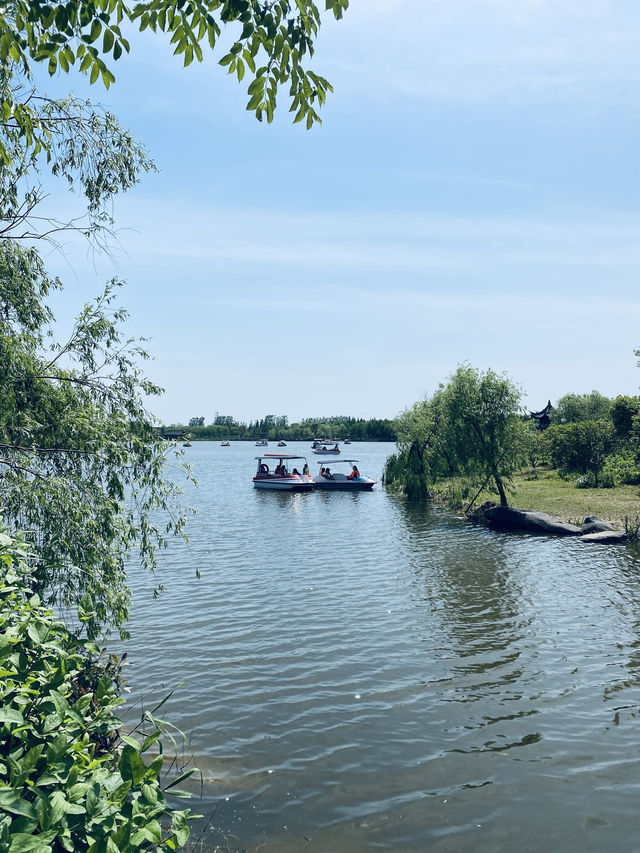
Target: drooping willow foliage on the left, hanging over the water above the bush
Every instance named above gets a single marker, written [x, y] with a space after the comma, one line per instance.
[81, 467]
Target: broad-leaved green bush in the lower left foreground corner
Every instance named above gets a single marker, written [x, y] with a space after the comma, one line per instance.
[67, 779]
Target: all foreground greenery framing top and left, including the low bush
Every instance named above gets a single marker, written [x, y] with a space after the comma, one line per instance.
[81, 466]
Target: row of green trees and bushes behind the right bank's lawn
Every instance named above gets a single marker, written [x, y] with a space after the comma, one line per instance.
[475, 432]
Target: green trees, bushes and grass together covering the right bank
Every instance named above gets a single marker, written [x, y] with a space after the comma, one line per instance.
[471, 442]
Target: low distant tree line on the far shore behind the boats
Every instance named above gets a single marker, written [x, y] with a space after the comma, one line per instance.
[226, 428]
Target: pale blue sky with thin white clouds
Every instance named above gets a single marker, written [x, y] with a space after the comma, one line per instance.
[472, 195]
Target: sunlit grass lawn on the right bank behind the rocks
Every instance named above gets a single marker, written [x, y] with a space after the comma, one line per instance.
[549, 493]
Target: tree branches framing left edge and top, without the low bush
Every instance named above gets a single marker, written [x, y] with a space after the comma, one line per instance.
[81, 467]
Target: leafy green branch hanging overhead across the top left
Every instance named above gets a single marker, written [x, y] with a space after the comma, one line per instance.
[270, 41]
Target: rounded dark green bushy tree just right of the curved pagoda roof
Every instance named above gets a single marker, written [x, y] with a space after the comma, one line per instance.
[581, 447]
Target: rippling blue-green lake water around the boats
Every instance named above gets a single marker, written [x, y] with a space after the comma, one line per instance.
[358, 673]
